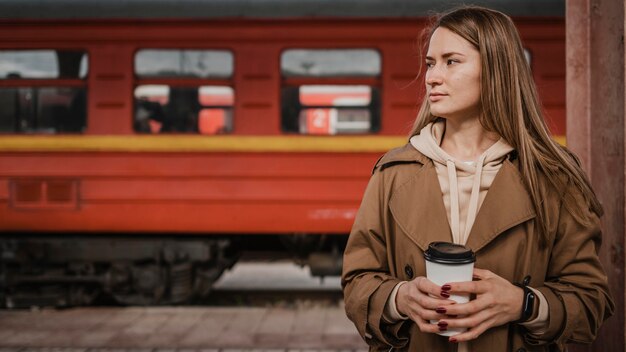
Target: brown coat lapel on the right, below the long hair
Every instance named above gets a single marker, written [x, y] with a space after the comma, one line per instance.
[506, 205]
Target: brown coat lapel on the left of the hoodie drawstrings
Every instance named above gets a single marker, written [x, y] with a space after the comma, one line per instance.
[418, 209]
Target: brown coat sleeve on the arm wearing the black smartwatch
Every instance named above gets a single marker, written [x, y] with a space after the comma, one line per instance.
[576, 286]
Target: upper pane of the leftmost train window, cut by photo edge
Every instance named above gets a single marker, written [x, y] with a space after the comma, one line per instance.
[43, 64]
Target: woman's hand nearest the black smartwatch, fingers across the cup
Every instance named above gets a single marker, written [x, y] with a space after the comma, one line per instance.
[497, 302]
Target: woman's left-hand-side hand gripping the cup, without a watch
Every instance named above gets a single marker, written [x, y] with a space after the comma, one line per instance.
[414, 301]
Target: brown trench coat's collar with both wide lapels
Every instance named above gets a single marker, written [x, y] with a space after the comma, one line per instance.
[417, 206]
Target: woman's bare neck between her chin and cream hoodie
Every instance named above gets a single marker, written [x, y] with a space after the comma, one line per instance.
[467, 140]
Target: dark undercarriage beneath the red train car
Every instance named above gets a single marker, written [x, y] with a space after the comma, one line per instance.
[65, 271]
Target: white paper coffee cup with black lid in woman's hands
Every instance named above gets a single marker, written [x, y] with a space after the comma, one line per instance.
[448, 262]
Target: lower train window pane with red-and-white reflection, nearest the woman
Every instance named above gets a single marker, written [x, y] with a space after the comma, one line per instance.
[330, 109]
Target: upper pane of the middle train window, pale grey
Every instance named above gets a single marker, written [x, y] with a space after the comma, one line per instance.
[152, 63]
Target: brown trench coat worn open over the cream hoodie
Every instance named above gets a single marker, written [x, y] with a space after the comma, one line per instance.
[402, 212]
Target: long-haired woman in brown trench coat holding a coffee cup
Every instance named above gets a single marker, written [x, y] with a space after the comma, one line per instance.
[480, 170]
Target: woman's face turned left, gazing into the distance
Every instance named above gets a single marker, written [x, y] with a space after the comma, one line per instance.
[452, 76]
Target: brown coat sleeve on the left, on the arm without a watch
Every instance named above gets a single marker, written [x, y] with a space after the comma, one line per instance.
[366, 278]
